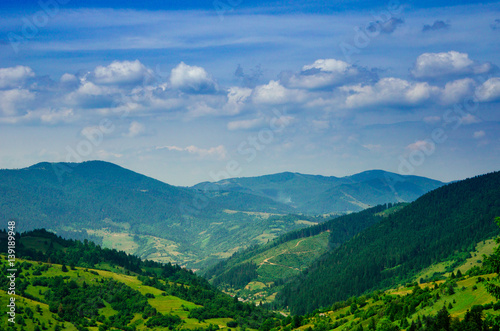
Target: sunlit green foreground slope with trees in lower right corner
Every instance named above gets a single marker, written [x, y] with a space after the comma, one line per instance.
[467, 299]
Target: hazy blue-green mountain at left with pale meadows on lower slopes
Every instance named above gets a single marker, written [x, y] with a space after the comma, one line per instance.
[125, 210]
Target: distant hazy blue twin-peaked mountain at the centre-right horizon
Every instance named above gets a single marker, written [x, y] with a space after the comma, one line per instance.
[322, 195]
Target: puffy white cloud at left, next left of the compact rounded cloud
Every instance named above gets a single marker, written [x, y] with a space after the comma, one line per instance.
[122, 73]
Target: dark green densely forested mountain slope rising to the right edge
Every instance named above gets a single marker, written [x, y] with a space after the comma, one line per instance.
[447, 221]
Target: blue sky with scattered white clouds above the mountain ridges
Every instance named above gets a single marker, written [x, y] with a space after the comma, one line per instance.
[192, 91]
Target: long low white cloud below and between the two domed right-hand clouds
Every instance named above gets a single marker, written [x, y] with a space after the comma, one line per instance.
[389, 91]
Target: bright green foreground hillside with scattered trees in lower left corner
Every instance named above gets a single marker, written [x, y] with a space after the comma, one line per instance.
[65, 284]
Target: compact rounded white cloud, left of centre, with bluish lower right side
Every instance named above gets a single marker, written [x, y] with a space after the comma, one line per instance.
[192, 79]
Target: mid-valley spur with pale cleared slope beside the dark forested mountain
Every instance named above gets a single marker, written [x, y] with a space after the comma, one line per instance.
[259, 272]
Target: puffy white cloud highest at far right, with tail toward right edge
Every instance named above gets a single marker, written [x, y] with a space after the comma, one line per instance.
[434, 65]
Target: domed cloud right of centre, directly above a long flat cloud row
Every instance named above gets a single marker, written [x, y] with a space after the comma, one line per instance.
[325, 73]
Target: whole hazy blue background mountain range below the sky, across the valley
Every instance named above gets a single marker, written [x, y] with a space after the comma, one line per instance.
[194, 226]
